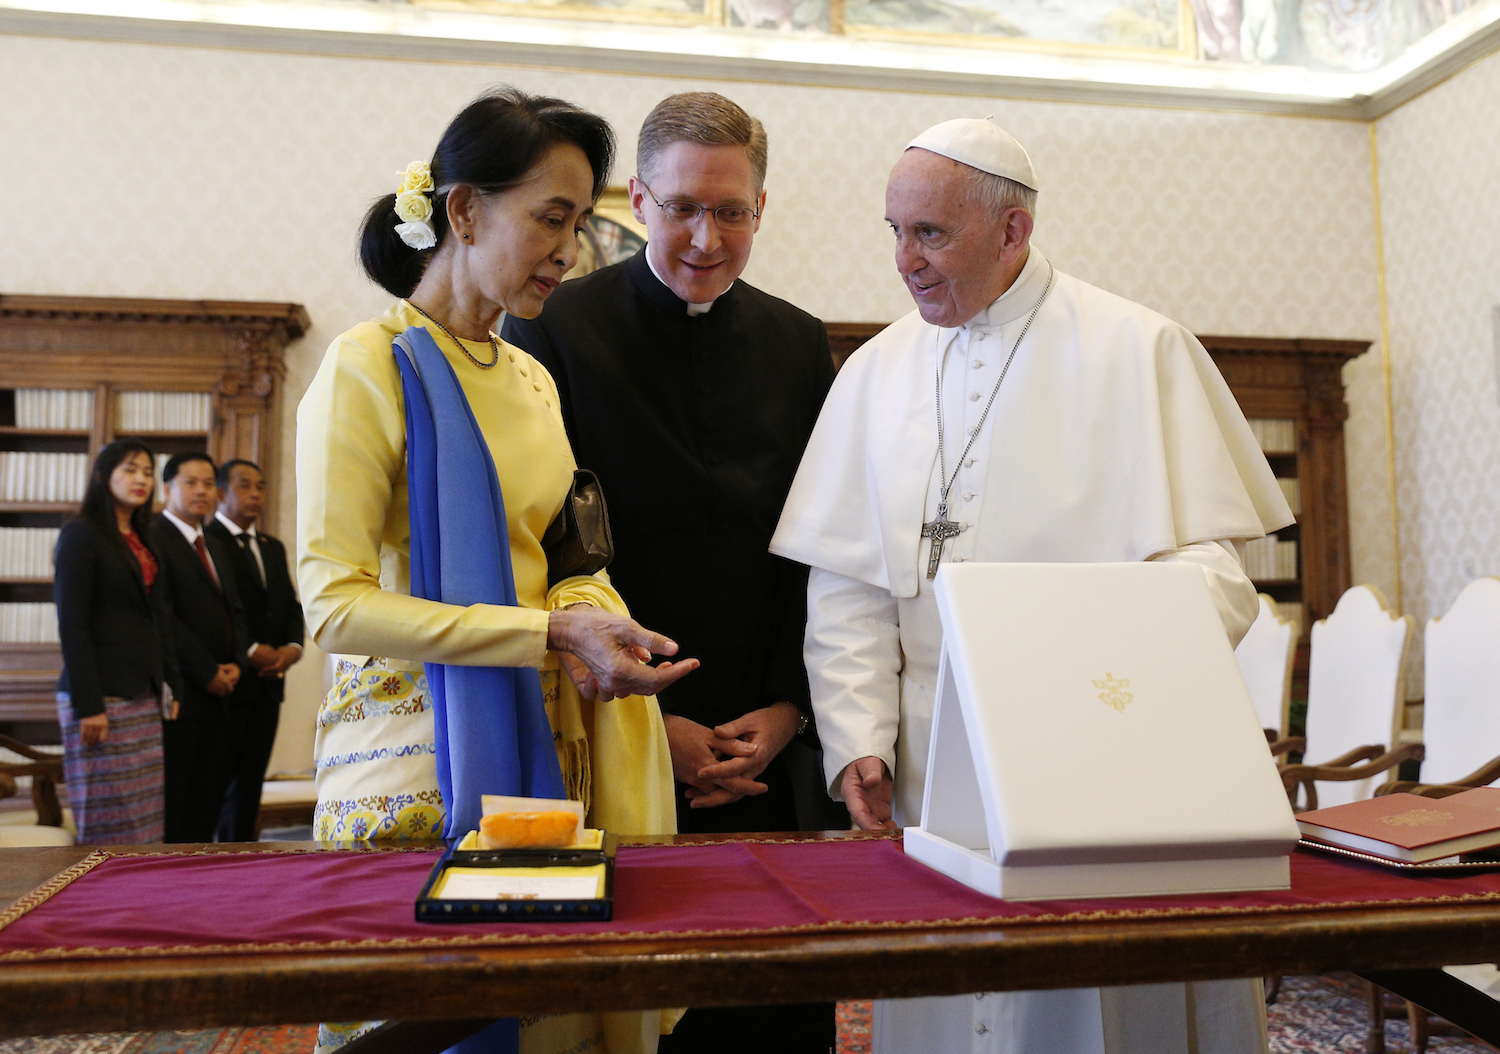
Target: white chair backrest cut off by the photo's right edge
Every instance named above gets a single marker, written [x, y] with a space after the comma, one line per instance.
[1462, 711]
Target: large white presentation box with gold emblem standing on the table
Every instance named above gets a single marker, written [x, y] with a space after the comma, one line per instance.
[1093, 738]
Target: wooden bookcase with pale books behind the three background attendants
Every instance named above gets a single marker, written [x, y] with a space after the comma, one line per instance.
[80, 373]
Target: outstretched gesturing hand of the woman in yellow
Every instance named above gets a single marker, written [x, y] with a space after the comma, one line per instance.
[611, 654]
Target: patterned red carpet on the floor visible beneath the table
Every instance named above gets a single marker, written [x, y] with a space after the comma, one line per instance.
[1313, 1016]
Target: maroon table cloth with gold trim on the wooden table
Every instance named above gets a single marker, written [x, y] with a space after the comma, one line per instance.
[176, 903]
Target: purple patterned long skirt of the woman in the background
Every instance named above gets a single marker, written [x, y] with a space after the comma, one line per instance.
[116, 788]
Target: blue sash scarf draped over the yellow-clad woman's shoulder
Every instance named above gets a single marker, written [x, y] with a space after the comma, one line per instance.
[493, 732]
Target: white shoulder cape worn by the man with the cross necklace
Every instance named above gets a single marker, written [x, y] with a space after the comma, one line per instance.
[1114, 439]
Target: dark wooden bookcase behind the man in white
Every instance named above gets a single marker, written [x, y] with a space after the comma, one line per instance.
[1297, 382]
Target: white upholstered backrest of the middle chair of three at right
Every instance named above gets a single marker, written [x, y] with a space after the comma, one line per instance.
[1355, 687]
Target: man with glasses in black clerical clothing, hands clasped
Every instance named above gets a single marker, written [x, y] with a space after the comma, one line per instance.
[692, 395]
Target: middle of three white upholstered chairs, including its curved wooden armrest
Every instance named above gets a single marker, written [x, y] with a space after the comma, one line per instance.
[1355, 702]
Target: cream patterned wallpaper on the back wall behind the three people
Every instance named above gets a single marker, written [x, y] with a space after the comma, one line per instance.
[160, 172]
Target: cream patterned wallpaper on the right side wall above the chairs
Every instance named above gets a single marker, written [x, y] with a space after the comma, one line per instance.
[1439, 172]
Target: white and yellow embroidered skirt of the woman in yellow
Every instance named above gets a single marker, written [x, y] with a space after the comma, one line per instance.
[379, 783]
